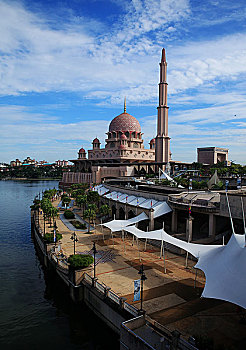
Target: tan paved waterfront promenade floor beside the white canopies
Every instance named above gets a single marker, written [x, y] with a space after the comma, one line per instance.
[172, 298]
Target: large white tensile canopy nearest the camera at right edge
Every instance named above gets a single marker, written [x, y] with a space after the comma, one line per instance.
[223, 266]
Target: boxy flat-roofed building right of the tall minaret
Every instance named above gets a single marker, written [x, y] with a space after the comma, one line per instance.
[212, 155]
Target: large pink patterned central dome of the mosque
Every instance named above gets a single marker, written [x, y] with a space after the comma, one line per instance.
[124, 122]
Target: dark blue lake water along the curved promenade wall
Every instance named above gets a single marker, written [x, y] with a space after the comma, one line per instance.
[35, 311]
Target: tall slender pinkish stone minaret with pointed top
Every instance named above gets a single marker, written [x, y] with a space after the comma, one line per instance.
[162, 144]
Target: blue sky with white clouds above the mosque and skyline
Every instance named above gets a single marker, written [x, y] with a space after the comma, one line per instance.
[66, 66]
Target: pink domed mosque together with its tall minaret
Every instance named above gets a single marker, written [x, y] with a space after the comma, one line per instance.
[124, 153]
